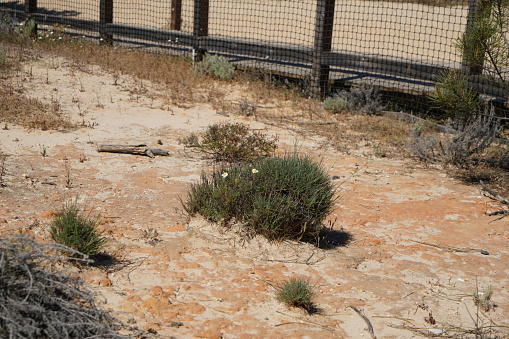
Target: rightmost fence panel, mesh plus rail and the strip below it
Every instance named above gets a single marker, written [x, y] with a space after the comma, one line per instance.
[394, 44]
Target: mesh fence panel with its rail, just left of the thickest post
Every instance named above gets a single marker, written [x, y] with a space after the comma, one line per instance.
[265, 33]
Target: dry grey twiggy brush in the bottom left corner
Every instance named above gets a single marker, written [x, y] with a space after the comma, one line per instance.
[38, 301]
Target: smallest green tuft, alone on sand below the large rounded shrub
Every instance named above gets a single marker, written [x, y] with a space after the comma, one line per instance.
[296, 292]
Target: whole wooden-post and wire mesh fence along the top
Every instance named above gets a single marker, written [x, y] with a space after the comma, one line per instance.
[400, 47]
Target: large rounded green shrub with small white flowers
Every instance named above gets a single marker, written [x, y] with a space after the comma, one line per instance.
[281, 198]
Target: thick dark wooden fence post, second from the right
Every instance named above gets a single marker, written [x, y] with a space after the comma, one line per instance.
[323, 43]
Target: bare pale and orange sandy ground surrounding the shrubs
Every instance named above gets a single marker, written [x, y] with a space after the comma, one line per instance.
[412, 254]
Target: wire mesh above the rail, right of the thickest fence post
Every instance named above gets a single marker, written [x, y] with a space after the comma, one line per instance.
[409, 31]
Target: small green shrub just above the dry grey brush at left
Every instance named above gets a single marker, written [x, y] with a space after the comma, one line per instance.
[77, 231]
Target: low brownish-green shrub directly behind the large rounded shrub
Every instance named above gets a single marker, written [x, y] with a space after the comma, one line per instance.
[235, 143]
